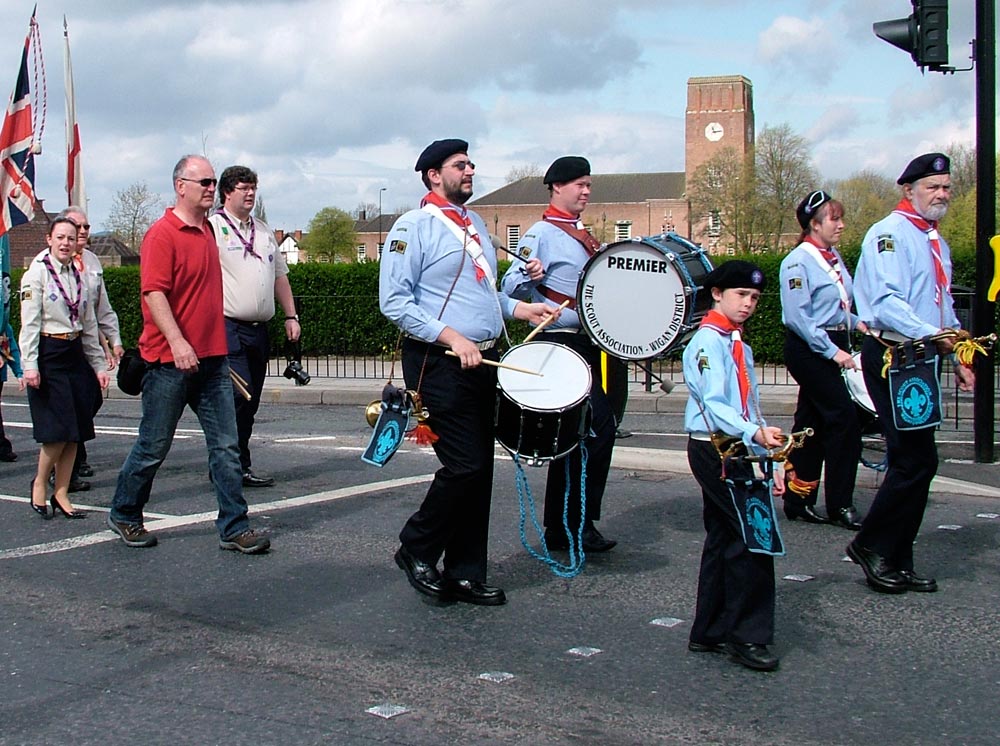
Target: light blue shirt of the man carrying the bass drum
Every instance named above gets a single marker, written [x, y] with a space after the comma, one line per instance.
[562, 258]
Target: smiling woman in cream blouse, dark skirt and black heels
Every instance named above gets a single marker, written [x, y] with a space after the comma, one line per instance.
[61, 354]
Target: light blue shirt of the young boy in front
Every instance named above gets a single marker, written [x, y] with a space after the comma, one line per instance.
[711, 377]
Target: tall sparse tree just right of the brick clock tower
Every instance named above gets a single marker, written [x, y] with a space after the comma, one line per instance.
[784, 175]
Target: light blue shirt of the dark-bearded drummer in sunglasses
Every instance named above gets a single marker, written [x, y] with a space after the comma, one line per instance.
[418, 268]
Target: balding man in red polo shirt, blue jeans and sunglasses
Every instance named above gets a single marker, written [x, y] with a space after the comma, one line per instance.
[183, 343]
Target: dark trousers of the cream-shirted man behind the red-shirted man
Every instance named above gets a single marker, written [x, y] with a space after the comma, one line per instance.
[248, 353]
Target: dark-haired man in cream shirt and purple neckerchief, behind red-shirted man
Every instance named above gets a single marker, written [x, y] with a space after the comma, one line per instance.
[254, 273]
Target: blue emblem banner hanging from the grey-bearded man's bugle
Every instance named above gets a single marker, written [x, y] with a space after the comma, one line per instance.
[915, 386]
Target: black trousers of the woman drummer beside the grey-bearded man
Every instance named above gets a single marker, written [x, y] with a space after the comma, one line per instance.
[825, 405]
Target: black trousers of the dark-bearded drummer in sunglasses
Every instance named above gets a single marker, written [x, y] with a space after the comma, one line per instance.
[454, 518]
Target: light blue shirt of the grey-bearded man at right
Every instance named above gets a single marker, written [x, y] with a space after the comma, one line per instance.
[896, 282]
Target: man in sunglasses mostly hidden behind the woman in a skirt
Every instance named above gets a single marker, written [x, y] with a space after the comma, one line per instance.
[92, 272]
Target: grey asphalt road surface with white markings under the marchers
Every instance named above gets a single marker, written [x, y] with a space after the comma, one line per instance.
[185, 643]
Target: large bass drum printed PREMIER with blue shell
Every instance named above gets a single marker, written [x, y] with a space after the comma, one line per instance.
[637, 299]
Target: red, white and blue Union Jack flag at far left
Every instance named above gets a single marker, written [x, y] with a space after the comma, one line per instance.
[17, 163]
